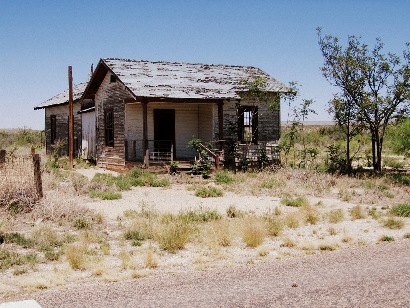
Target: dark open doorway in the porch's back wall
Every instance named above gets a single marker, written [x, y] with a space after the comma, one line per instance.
[164, 130]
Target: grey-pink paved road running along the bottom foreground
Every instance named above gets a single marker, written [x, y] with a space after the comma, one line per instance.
[373, 276]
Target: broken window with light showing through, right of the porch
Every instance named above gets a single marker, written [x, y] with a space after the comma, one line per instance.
[248, 124]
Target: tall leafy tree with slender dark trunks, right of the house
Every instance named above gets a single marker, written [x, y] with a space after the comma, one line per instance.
[374, 88]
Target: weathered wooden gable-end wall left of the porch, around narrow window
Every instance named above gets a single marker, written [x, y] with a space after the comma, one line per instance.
[111, 95]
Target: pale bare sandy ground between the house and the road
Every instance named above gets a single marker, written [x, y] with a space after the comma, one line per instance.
[306, 240]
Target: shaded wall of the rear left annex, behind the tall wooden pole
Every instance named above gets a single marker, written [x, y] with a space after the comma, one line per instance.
[61, 113]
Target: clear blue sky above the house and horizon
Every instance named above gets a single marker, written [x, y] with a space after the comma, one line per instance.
[40, 39]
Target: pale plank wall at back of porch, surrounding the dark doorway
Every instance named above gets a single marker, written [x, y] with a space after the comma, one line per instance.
[190, 120]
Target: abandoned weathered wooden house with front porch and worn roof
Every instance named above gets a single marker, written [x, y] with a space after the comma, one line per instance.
[149, 111]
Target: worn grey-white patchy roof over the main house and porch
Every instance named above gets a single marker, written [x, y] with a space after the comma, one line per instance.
[186, 80]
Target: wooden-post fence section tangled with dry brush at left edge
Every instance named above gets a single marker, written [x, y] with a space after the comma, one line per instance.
[20, 181]
